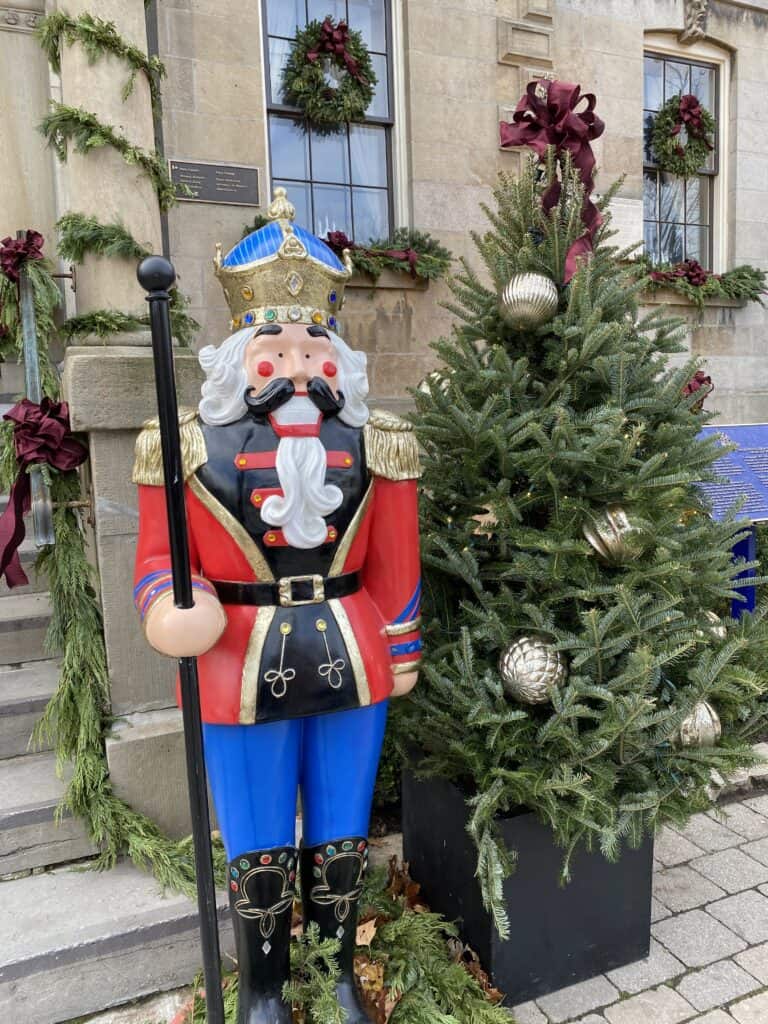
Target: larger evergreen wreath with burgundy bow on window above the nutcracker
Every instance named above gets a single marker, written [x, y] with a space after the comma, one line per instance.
[320, 47]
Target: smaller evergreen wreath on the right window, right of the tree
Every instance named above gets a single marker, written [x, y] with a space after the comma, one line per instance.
[674, 155]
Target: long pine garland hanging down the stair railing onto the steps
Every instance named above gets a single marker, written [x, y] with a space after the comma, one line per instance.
[78, 714]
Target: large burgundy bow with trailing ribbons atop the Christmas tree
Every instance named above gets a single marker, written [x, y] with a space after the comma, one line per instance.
[547, 116]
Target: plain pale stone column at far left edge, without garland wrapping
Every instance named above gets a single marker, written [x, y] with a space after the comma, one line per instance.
[27, 199]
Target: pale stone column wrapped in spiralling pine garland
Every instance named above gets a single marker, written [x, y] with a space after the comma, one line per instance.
[100, 183]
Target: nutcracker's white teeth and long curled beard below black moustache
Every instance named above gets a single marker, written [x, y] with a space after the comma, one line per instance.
[302, 472]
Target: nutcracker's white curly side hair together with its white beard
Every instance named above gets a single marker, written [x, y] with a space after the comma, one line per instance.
[302, 462]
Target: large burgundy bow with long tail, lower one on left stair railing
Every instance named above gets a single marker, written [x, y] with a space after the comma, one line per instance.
[41, 435]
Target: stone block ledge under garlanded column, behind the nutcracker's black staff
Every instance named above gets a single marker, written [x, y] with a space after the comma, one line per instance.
[112, 388]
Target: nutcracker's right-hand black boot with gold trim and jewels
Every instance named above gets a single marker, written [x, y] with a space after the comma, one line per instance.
[331, 886]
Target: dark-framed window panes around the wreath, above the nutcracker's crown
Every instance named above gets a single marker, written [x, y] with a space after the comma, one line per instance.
[339, 183]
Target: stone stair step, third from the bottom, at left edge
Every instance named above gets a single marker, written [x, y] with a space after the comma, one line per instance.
[25, 692]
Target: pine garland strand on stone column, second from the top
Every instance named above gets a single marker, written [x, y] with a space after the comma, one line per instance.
[71, 124]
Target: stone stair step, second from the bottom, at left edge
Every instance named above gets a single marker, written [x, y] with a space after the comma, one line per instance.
[30, 836]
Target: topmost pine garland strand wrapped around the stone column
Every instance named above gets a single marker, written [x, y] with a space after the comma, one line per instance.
[100, 39]
